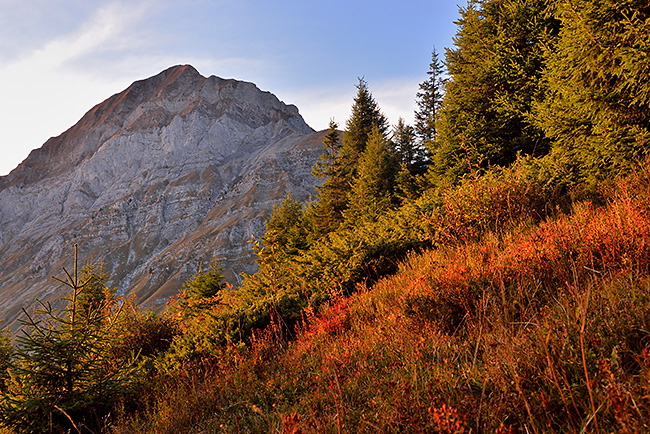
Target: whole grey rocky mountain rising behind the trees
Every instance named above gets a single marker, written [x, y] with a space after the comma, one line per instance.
[175, 170]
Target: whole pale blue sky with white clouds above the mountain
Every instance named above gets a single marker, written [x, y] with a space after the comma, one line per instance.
[59, 58]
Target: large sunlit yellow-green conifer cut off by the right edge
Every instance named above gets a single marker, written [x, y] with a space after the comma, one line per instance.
[597, 107]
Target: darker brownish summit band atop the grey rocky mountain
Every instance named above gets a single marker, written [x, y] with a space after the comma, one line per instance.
[151, 103]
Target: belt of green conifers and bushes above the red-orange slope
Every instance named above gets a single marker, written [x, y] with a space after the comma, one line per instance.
[537, 102]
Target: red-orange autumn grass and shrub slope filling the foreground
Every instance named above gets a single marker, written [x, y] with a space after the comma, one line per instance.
[540, 328]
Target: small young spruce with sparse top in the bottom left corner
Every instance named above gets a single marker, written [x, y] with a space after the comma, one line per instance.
[63, 375]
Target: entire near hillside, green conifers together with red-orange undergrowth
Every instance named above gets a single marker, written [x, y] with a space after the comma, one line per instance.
[486, 269]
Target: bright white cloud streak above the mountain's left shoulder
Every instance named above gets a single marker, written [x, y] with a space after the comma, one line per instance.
[41, 95]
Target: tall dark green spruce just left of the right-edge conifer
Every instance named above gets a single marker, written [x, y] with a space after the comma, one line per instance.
[495, 77]
